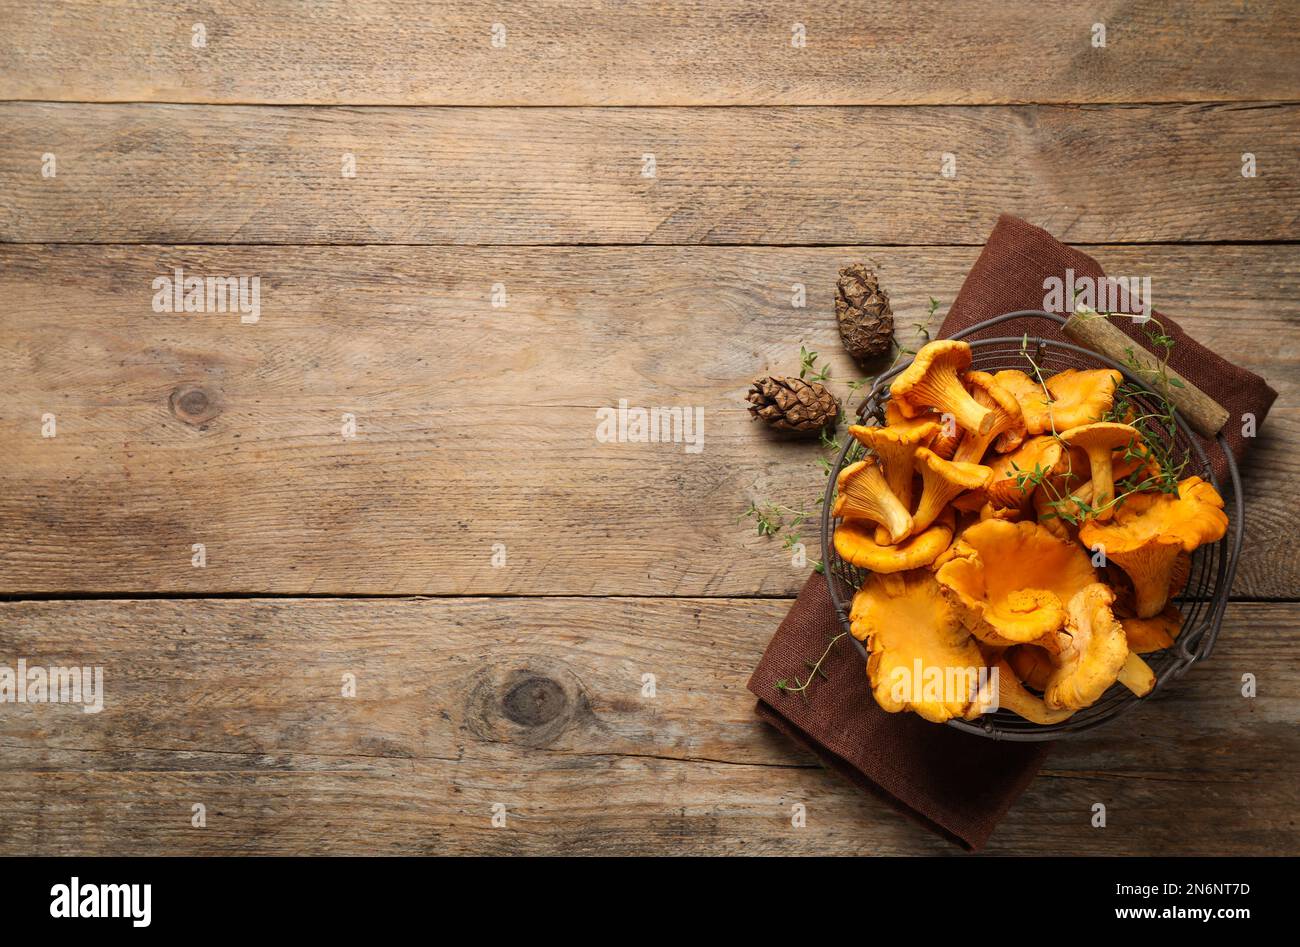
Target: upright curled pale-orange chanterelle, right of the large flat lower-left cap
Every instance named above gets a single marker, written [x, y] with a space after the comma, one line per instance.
[1093, 651]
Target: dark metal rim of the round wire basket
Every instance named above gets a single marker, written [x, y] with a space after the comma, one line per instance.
[1194, 646]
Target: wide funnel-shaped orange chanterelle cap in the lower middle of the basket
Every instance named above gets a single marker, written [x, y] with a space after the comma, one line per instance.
[1013, 580]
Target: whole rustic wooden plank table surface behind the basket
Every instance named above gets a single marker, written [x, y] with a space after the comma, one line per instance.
[501, 263]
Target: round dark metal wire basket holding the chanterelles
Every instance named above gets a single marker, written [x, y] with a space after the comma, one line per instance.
[1202, 602]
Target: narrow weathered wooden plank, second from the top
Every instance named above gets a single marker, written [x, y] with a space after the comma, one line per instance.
[775, 176]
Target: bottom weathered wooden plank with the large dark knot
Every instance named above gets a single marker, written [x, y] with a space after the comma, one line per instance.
[538, 704]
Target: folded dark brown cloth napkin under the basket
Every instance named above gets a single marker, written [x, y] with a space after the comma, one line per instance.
[956, 784]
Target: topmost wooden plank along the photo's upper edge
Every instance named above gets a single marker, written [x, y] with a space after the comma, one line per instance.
[681, 53]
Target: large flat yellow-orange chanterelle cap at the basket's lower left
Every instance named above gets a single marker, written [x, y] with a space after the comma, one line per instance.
[922, 658]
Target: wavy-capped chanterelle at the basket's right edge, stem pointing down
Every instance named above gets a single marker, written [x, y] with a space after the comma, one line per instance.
[1151, 530]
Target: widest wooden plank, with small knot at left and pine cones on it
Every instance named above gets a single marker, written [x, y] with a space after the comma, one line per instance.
[478, 426]
